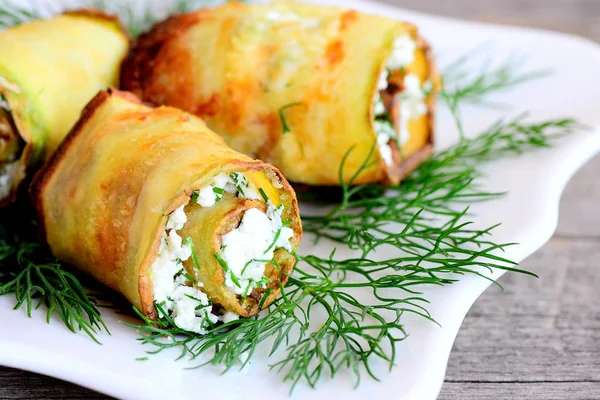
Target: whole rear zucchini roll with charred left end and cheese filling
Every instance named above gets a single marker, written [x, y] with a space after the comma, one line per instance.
[297, 85]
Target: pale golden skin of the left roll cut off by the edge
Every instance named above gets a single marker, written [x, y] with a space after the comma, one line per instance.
[43, 118]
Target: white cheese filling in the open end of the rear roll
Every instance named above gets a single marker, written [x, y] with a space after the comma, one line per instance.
[412, 99]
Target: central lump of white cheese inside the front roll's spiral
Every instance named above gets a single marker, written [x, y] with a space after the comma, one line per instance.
[248, 248]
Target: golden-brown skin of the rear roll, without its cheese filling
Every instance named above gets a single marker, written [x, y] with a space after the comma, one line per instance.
[170, 65]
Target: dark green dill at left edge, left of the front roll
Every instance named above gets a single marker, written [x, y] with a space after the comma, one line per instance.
[36, 279]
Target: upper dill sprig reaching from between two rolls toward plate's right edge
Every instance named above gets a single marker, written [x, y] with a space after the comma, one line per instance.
[437, 185]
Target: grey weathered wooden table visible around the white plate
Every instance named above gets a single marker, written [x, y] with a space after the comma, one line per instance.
[541, 338]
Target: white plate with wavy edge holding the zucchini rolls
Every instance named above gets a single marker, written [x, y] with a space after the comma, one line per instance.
[529, 214]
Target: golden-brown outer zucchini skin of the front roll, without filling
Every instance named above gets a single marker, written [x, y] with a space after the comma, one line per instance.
[108, 218]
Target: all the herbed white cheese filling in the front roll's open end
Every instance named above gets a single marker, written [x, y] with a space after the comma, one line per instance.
[244, 253]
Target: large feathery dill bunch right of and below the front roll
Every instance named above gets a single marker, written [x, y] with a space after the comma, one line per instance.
[434, 243]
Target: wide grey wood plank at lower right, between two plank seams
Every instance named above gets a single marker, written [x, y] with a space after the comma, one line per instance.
[544, 330]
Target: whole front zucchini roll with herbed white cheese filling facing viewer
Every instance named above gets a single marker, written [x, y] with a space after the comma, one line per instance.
[153, 204]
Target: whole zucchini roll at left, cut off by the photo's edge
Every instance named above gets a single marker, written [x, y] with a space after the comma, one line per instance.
[49, 70]
